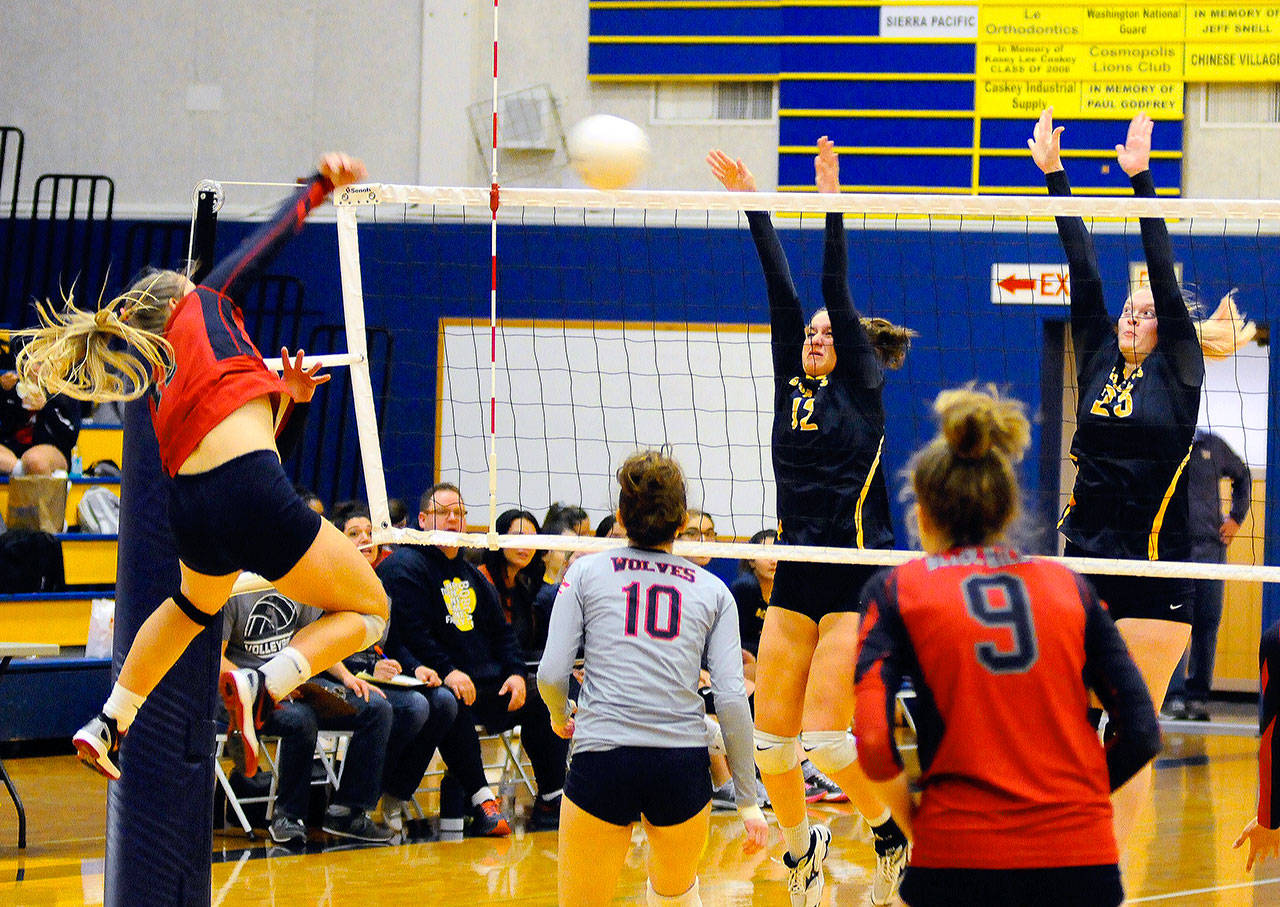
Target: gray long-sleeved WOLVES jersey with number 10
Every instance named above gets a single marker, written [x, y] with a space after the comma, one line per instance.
[646, 621]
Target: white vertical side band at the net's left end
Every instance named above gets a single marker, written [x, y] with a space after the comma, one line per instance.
[362, 384]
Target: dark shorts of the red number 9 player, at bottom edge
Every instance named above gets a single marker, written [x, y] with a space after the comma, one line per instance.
[1057, 887]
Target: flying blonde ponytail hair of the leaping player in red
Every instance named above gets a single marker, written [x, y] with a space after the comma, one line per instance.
[72, 352]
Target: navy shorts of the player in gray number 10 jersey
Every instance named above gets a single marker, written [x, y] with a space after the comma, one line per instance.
[666, 786]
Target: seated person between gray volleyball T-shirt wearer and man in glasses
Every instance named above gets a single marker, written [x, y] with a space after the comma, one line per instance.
[420, 717]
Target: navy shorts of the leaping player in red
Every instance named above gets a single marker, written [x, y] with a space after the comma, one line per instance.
[241, 516]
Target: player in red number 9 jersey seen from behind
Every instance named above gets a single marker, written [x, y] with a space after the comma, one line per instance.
[1003, 652]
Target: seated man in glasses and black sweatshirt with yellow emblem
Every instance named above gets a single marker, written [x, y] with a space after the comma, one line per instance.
[447, 627]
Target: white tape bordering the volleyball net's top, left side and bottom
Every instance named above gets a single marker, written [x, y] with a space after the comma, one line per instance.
[1214, 217]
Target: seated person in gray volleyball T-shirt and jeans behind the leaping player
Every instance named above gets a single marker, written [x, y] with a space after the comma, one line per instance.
[257, 627]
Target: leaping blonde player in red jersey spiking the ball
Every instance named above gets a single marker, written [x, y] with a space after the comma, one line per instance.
[216, 409]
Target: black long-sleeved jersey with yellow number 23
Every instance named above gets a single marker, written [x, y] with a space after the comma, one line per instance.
[1133, 433]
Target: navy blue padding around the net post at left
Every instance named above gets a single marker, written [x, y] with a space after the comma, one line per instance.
[159, 818]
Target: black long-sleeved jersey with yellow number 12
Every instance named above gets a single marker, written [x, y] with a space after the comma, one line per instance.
[829, 433]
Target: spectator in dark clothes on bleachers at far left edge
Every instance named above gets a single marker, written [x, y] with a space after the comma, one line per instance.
[38, 433]
